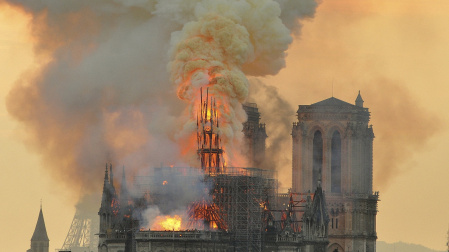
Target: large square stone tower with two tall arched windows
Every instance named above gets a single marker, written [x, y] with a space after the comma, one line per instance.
[333, 143]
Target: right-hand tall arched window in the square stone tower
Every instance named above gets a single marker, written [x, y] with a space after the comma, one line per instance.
[336, 163]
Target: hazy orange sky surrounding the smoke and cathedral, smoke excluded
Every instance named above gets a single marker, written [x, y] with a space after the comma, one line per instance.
[394, 52]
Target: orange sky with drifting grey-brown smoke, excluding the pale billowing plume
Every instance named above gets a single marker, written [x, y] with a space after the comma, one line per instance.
[84, 84]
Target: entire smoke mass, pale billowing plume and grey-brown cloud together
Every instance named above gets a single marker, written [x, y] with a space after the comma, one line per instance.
[104, 93]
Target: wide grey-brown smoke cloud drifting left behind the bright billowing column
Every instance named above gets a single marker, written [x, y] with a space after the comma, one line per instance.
[103, 92]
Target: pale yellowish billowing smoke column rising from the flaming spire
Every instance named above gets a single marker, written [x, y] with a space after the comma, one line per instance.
[226, 41]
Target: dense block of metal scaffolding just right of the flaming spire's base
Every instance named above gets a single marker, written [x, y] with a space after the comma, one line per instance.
[239, 194]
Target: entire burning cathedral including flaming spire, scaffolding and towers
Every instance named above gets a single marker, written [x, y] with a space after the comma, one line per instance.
[330, 207]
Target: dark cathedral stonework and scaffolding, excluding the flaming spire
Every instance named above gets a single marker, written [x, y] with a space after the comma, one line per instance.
[330, 207]
